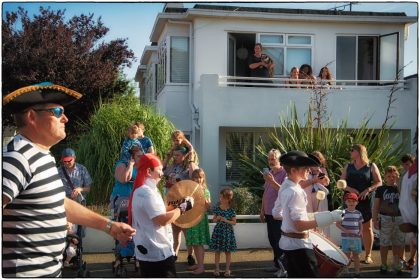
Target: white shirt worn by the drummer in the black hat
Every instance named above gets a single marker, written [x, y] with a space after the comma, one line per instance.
[292, 200]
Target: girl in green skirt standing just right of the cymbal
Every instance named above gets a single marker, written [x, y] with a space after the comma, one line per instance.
[199, 235]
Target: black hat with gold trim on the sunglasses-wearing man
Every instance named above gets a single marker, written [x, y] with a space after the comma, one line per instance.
[45, 92]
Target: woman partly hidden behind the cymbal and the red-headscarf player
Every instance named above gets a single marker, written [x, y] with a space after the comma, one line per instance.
[180, 168]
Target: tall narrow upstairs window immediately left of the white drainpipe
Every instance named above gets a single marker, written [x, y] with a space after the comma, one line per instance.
[179, 60]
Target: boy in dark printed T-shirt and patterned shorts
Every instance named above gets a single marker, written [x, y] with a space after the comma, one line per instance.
[389, 218]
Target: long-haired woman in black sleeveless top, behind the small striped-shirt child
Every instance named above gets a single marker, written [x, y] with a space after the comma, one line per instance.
[363, 178]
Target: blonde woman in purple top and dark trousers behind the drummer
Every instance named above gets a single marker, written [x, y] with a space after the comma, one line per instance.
[273, 179]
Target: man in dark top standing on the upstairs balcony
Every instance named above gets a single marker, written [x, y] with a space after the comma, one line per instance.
[260, 64]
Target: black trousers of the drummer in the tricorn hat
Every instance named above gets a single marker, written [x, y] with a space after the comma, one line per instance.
[301, 263]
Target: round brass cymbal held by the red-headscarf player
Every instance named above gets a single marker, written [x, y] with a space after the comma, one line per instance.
[181, 190]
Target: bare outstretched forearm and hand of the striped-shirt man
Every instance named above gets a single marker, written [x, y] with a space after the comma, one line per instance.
[78, 214]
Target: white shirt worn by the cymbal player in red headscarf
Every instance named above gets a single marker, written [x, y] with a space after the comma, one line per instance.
[148, 203]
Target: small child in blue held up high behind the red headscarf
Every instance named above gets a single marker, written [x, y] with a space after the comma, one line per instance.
[135, 137]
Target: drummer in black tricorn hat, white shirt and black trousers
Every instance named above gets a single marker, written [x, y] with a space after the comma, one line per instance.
[291, 208]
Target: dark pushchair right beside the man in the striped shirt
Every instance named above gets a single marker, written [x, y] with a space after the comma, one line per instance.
[76, 264]
